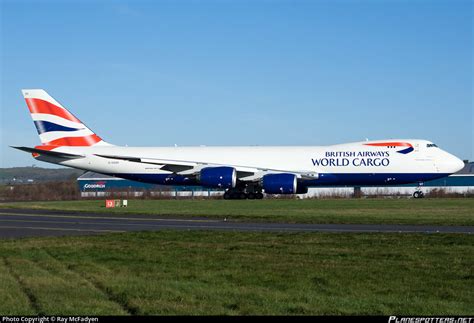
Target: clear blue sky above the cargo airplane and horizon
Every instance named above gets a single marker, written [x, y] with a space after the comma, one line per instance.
[159, 73]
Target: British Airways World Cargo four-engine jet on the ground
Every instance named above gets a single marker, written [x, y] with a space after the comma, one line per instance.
[243, 172]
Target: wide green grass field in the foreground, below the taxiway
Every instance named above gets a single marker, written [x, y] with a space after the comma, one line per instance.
[195, 272]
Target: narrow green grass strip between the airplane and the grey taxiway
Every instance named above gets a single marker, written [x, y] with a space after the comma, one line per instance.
[448, 211]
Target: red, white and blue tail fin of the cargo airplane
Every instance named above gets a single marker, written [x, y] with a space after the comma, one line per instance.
[55, 124]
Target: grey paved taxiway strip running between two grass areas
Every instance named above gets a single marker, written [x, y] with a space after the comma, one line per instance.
[16, 223]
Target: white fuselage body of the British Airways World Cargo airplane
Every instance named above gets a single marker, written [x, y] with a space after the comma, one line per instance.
[352, 158]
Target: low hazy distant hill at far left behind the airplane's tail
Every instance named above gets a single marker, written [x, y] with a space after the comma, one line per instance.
[24, 175]
